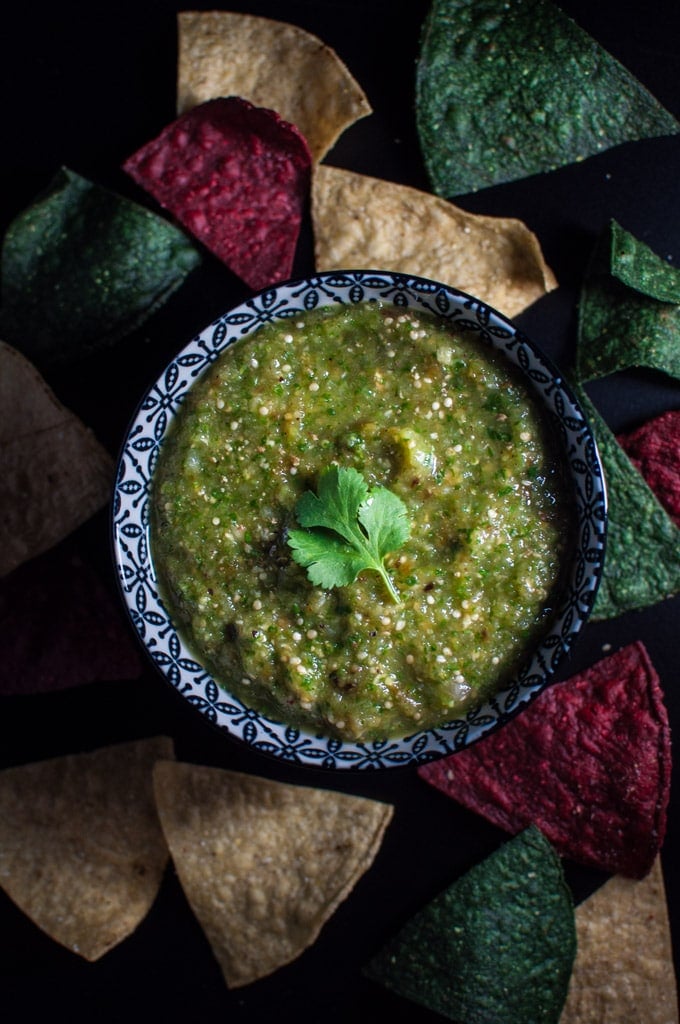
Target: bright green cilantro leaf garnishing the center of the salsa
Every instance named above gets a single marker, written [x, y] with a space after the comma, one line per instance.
[349, 529]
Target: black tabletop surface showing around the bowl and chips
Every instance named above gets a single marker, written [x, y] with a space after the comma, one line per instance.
[87, 87]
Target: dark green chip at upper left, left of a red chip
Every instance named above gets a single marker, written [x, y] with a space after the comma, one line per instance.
[83, 268]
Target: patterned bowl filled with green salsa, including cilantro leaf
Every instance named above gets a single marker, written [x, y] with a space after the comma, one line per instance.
[360, 521]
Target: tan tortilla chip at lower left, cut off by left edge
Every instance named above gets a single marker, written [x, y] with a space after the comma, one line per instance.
[81, 848]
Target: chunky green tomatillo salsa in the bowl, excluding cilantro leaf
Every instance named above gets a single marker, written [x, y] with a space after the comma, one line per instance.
[439, 419]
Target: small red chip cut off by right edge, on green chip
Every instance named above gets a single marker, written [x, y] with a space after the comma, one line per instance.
[655, 451]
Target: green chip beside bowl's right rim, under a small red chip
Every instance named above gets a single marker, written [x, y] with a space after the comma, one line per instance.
[643, 563]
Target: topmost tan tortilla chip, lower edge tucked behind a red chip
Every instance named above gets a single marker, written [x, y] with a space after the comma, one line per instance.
[272, 65]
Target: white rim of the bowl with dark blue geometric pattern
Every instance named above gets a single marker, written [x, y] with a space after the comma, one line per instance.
[131, 521]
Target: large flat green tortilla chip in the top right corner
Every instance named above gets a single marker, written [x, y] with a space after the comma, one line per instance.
[505, 91]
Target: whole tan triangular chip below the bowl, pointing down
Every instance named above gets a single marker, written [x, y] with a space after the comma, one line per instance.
[264, 865]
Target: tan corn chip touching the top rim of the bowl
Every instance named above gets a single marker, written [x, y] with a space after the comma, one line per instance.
[362, 223]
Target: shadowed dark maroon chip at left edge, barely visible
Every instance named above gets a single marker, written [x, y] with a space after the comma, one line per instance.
[61, 627]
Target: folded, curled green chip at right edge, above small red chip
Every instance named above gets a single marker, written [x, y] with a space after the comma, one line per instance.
[629, 312]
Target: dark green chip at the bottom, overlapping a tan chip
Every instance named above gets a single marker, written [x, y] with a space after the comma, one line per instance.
[497, 946]
